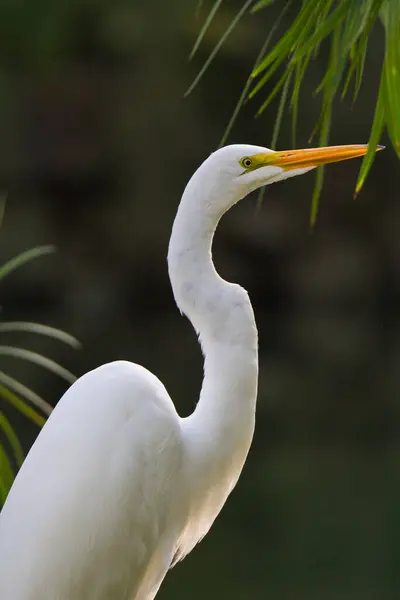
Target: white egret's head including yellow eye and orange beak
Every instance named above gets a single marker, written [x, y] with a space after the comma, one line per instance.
[233, 171]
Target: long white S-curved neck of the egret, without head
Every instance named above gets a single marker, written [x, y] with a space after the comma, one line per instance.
[219, 432]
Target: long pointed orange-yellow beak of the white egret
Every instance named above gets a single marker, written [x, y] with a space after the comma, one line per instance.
[312, 157]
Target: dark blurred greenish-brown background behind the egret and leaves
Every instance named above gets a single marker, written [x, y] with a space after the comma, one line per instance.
[96, 146]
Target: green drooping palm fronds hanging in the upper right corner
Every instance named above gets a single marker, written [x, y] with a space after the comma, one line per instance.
[346, 25]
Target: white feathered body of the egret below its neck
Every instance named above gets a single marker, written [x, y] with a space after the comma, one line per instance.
[89, 495]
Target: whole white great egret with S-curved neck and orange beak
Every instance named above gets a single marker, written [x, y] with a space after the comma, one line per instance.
[117, 487]
